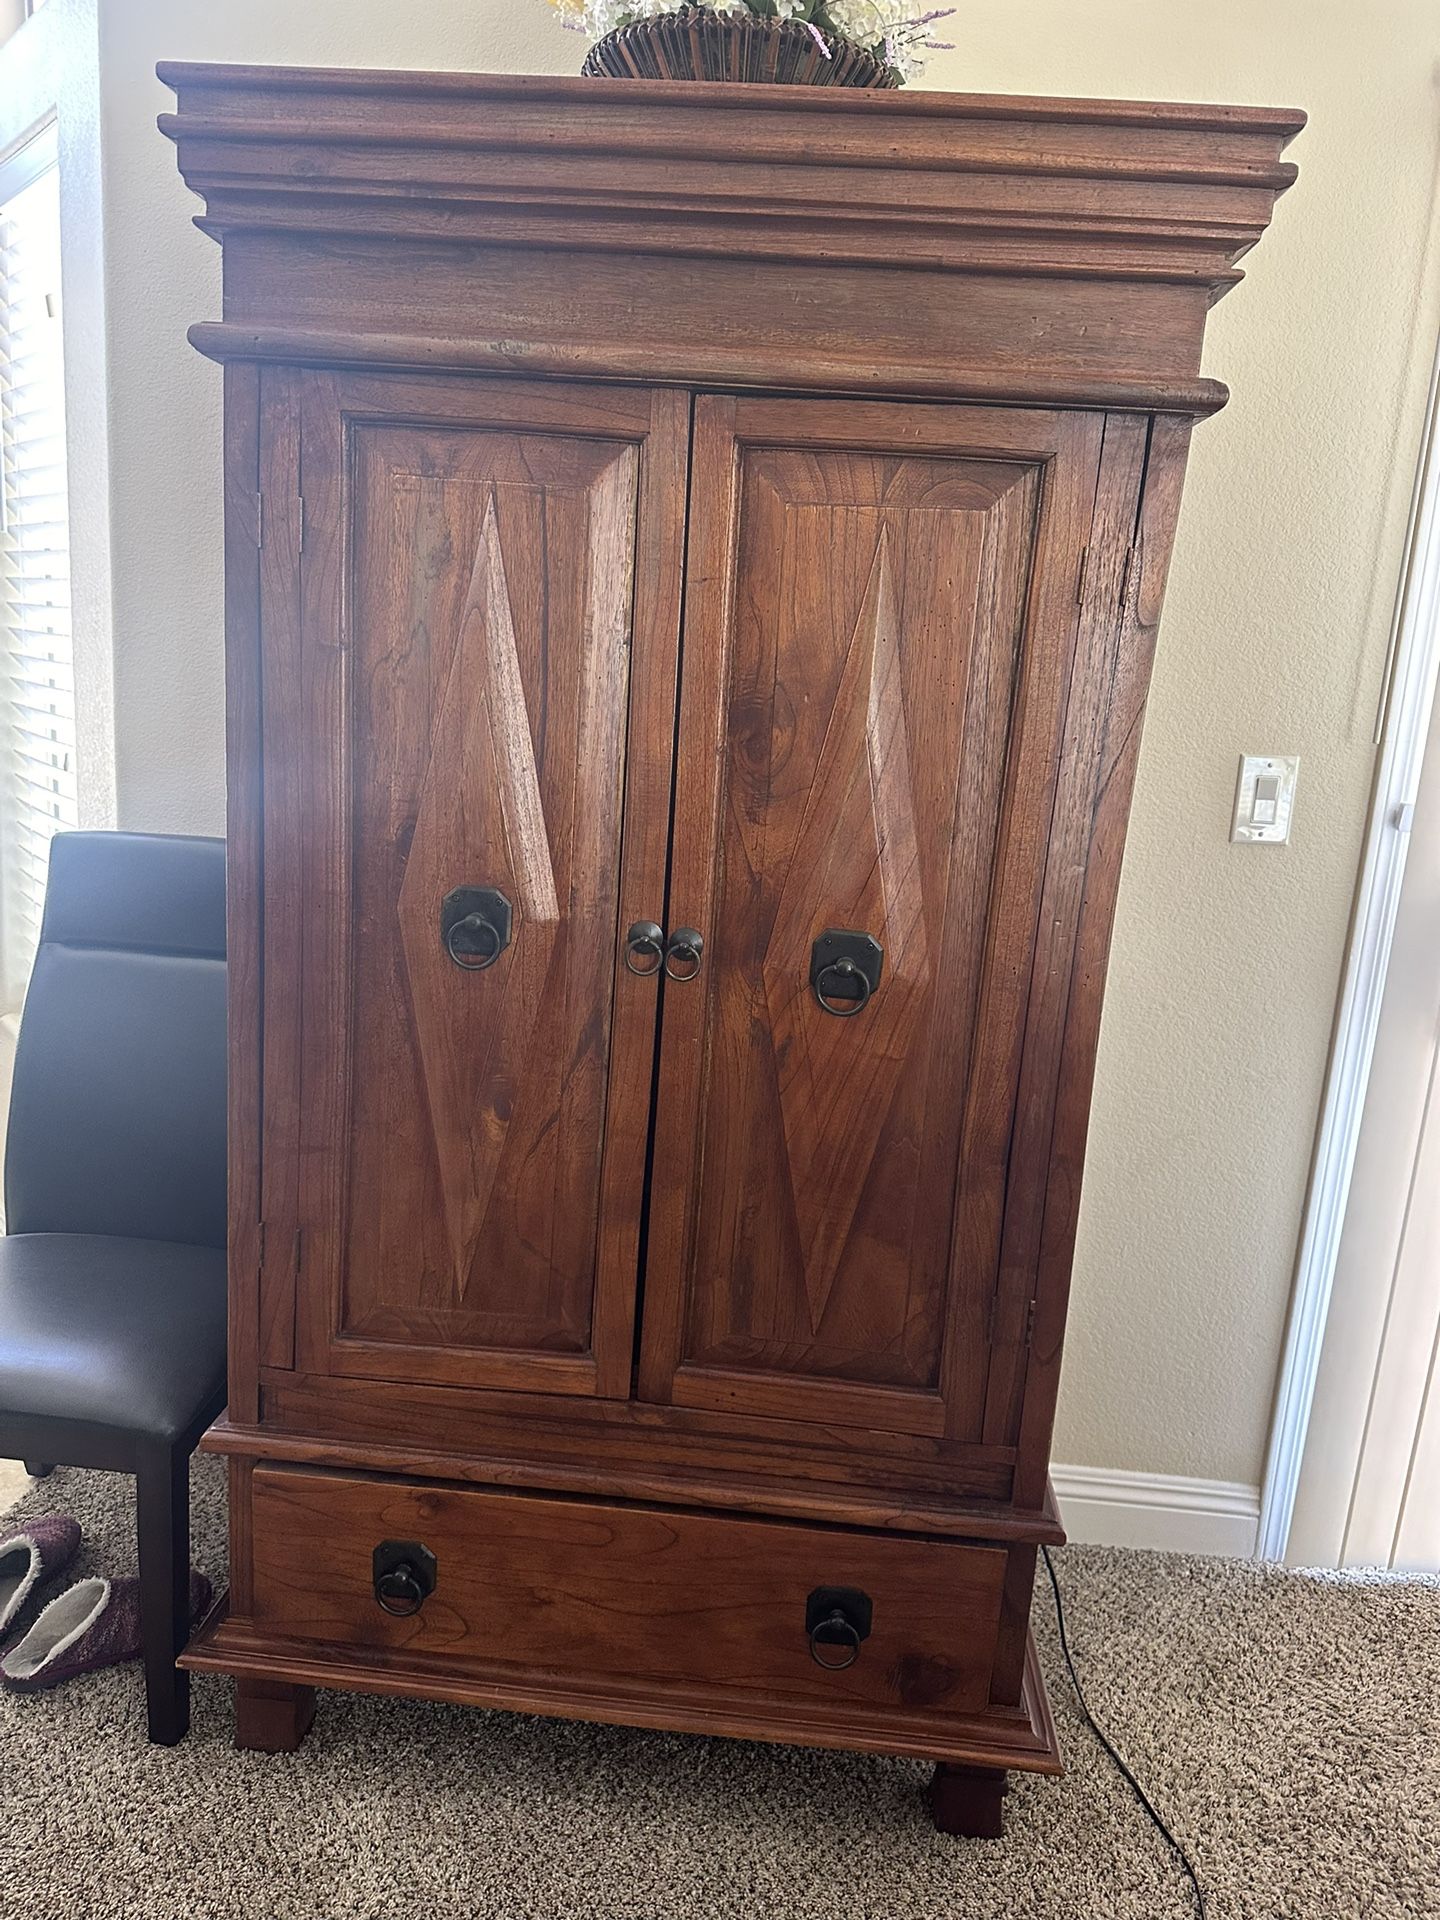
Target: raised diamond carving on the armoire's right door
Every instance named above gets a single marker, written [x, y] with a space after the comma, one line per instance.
[855, 865]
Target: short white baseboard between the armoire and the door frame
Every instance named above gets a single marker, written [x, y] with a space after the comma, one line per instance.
[1109, 1508]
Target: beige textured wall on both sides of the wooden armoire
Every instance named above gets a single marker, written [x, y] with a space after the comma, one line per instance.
[1226, 959]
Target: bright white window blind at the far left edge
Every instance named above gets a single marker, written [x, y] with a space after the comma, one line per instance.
[37, 683]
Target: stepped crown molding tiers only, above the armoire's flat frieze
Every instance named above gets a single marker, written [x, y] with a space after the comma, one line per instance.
[934, 181]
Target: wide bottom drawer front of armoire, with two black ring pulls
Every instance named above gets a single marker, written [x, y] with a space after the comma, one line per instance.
[569, 1587]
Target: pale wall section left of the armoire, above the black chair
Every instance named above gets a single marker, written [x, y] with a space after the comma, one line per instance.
[164, 396]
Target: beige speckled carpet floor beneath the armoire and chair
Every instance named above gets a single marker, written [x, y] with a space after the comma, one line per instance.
[1289, 1725]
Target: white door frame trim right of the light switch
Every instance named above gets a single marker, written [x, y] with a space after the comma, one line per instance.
[1408, 702]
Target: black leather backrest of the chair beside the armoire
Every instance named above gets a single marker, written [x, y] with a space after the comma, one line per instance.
[118, 1109]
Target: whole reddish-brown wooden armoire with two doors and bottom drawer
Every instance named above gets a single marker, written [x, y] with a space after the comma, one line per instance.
[692, 569]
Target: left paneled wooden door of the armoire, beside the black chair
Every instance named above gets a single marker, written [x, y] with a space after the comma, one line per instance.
[475, 679]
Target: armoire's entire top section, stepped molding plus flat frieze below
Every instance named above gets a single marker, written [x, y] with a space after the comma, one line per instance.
[1044, 251]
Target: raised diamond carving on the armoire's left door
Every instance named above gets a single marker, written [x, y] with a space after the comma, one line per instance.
[479, 823]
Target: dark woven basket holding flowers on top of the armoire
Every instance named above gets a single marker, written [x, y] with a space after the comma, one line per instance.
[700, 45]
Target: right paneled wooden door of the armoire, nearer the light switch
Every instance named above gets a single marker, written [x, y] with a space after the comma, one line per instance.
[880, 625]
